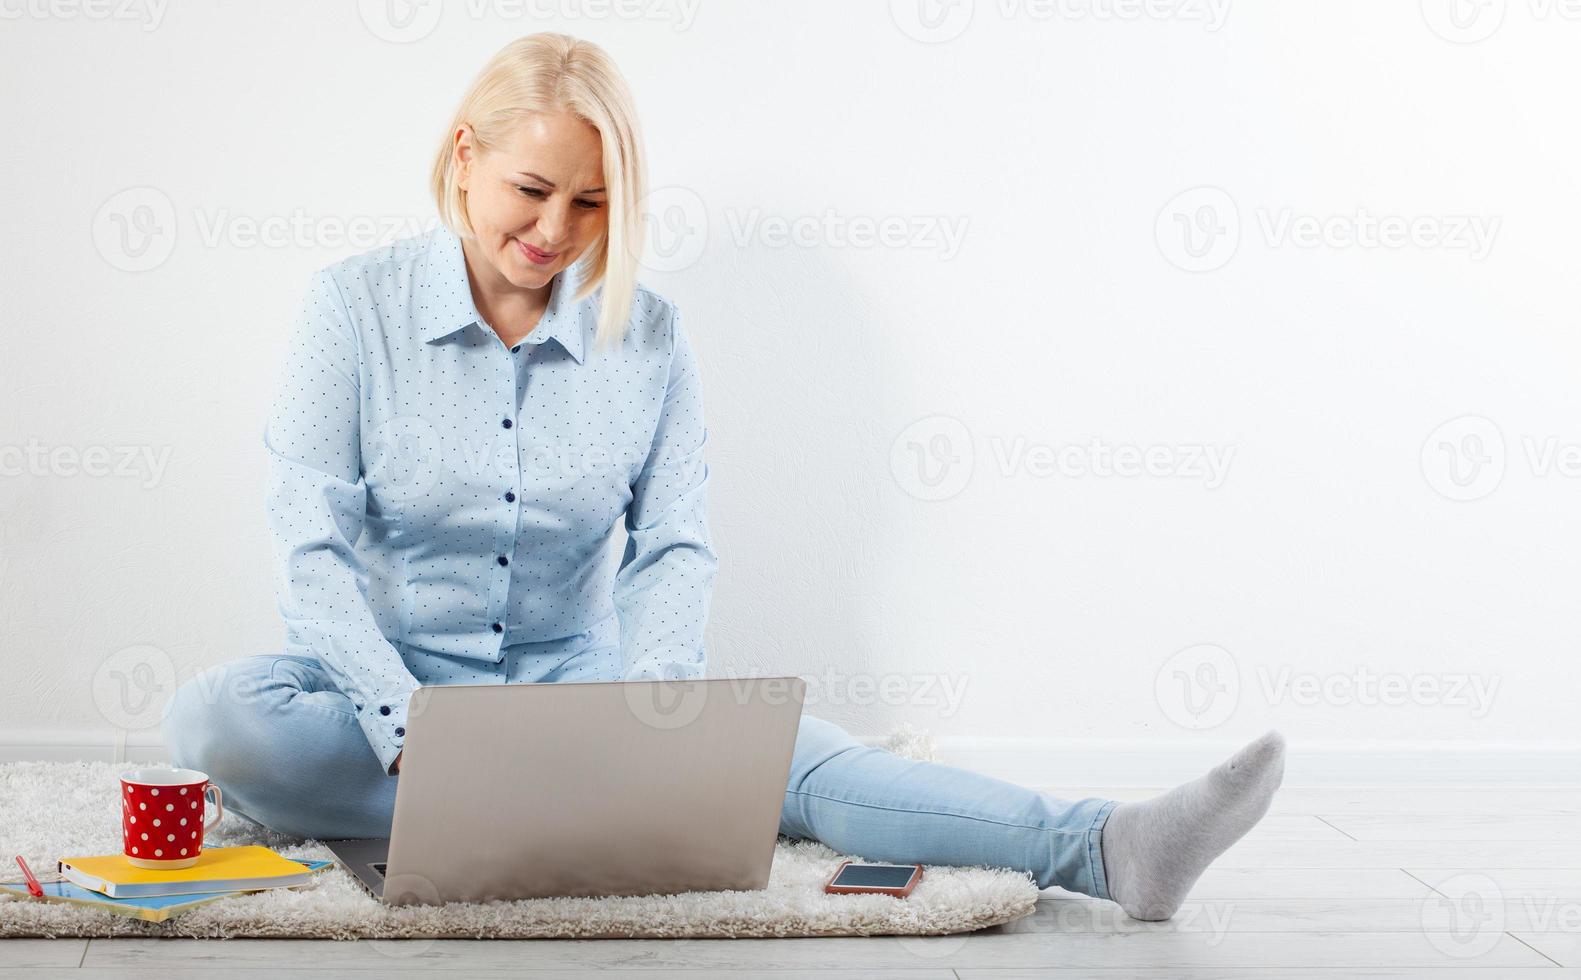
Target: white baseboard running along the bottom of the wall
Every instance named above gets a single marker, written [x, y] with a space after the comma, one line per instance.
[1076, 763]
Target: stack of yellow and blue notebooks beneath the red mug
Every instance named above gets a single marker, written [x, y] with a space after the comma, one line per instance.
[111, 883]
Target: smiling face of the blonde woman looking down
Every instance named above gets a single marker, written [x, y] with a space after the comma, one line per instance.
[537, 203]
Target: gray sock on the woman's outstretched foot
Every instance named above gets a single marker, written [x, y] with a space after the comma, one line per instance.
[1157, 850]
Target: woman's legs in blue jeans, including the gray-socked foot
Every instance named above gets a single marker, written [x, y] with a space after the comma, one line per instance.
[287, 750]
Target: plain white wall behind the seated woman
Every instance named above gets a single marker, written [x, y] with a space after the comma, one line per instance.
[1066, 146]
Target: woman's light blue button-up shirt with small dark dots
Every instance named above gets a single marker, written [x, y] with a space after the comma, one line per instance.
[437, 494]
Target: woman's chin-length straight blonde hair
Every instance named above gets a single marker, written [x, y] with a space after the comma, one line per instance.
[559, 73]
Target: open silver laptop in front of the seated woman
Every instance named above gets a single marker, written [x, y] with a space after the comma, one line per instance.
[606, 788]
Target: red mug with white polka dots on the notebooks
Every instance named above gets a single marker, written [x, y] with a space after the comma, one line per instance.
[162, 816]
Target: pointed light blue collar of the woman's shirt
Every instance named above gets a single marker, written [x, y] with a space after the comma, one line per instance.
[448, 300]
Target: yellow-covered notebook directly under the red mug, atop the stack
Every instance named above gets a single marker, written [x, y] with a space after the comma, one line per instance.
[217, 870]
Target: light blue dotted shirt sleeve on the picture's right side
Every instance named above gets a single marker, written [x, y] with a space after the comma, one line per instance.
[666, 576]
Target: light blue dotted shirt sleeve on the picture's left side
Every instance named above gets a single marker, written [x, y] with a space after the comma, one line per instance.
[317, 507]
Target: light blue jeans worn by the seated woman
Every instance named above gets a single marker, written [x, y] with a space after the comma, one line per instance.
[287, 750]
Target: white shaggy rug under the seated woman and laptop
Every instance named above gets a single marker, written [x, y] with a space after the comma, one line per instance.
[56, 808]
